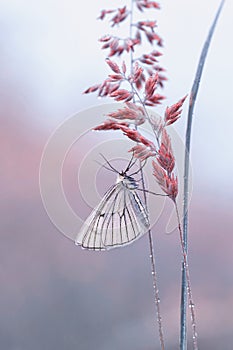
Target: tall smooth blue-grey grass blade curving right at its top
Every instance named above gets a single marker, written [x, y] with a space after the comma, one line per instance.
[193, 95]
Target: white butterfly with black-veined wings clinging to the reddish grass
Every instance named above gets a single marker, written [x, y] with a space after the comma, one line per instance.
[119, 219]
